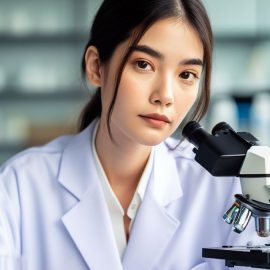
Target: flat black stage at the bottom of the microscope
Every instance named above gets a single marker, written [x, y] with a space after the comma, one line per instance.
[252, 256]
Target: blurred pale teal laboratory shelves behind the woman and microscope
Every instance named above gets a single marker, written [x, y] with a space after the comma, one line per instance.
[42, 93]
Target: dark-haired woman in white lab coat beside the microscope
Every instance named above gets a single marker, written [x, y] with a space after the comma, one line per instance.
[121, 194]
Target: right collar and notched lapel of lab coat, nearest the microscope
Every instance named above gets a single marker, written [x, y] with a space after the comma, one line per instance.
[154, 226]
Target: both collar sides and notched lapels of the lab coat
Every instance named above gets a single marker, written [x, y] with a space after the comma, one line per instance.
[89, 224]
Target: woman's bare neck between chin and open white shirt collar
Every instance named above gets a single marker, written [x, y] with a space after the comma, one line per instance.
[123, 160]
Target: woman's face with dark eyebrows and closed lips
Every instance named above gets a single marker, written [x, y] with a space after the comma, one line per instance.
[159, 84]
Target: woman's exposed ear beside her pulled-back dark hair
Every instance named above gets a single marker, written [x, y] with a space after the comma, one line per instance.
[92, 66]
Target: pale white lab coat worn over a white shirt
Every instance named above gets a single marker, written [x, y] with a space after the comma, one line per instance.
[53, 211]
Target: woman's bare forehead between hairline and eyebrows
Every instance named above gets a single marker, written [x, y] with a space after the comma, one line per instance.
[174, 36]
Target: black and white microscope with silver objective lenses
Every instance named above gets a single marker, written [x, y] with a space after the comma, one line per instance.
[229, 153]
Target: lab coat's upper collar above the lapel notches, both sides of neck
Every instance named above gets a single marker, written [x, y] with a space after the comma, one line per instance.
[77, 163]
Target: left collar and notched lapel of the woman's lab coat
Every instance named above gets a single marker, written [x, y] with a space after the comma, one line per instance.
[88, 221]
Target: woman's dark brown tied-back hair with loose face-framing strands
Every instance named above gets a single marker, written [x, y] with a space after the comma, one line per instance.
[118, 20]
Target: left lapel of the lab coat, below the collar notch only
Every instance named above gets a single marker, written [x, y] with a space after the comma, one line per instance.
[89, 226]
